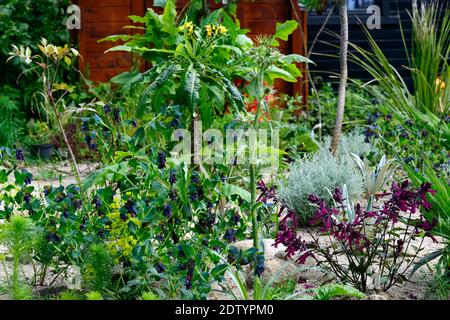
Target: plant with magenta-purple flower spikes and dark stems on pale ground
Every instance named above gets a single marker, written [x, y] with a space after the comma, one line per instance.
[366, 239]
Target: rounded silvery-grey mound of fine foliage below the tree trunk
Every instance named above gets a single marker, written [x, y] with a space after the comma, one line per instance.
[318, 174]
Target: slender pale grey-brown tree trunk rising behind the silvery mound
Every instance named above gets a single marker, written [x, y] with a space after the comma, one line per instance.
[342, 6]
